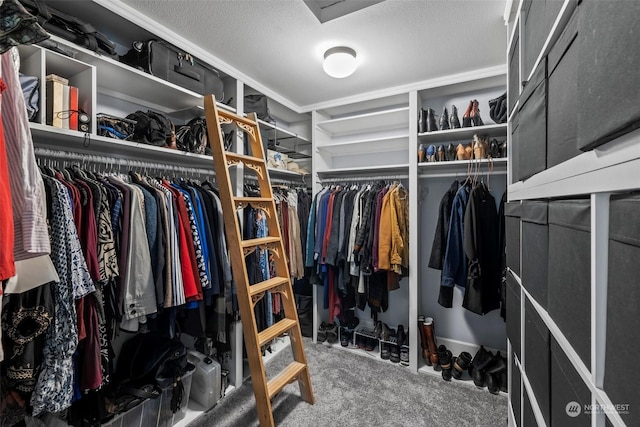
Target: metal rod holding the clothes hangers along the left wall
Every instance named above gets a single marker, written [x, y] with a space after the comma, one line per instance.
[119, 162]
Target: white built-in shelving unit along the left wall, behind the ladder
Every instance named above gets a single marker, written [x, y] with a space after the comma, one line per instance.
[108, 86]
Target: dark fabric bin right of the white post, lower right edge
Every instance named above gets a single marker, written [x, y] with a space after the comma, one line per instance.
[623, 305]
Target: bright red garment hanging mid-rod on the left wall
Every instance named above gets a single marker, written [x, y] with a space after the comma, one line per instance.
[188, 264]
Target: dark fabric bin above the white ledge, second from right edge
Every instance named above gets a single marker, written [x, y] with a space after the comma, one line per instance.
[562, 101]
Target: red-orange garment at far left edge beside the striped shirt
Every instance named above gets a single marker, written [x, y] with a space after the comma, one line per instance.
[7, 264]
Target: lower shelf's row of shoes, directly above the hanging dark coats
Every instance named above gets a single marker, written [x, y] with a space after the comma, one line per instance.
[479, 148]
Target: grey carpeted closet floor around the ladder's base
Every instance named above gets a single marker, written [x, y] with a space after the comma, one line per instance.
[356, 390]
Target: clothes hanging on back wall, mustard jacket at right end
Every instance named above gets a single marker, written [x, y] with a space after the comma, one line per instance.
[357, 242]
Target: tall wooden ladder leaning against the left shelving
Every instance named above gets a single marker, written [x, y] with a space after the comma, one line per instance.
[249, 295]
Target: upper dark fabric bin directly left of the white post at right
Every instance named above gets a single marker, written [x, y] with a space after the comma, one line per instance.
[570, 272]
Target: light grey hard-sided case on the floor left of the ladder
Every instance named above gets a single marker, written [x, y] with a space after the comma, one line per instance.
[205, 384]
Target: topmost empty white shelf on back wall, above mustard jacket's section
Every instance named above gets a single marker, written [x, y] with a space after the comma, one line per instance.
[379, 120]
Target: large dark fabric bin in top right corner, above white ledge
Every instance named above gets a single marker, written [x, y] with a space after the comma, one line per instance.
[608, 89]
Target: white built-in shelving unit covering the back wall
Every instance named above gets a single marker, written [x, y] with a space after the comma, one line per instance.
[378, 139]
